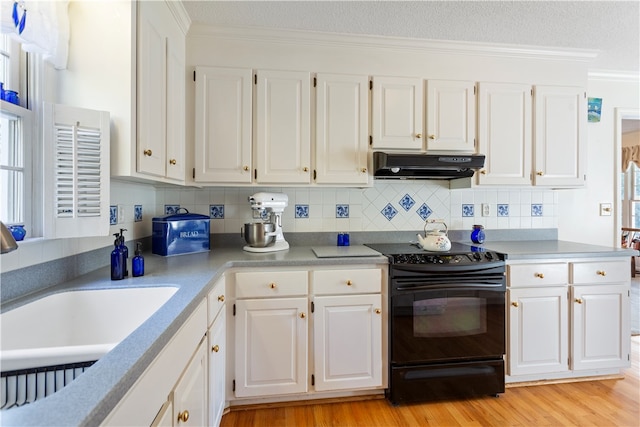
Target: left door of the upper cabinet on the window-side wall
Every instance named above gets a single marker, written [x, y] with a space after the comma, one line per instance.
[152, 91]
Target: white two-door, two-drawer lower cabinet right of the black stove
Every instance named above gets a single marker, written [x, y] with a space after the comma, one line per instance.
[567, 319]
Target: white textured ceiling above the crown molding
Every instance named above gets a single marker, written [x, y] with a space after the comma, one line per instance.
[611, 27]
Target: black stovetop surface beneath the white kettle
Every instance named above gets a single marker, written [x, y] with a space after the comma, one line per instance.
[460, 253]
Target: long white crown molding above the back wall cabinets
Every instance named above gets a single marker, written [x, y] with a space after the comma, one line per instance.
[315, 38]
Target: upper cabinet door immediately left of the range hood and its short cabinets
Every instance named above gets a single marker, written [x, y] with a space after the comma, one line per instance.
[341, 129]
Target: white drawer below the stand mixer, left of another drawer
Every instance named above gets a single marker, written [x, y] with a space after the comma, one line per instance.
[271, 284]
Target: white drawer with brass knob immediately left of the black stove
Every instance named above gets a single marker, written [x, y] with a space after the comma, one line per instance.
[353, 281]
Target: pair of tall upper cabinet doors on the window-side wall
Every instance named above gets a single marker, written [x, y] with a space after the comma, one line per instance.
[161, 93]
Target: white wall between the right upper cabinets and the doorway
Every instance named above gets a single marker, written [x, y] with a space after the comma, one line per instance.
[579, 213]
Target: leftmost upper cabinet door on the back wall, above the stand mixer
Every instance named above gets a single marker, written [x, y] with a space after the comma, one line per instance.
[223, 125]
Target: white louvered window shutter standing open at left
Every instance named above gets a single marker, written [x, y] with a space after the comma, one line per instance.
[76, 171]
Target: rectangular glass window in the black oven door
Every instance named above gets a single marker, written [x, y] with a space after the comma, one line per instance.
[451, 316]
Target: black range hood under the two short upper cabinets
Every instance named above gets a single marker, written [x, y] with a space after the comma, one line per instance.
[425, 166]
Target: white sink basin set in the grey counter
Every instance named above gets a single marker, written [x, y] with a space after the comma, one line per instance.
[75, 326]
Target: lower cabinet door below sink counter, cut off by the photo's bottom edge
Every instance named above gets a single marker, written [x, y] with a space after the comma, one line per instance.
[190, 394]
